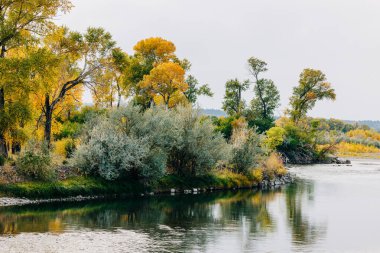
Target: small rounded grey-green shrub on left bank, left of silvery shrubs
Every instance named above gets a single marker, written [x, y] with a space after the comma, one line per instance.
[36, 162]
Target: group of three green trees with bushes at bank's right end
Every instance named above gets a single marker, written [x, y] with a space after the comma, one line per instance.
[293, 135]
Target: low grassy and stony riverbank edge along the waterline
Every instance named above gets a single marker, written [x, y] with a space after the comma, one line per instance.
[89, 189]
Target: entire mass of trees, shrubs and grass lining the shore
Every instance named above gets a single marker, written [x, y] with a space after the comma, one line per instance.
[157, 139]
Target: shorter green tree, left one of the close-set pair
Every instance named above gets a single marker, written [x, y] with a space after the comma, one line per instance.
[233, 102]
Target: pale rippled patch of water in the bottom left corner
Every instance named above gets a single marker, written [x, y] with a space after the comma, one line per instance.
[85, 241]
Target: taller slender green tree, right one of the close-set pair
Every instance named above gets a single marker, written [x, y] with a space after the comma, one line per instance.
[267, 97]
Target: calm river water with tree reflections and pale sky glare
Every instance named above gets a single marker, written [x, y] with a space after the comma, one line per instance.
[329, 209]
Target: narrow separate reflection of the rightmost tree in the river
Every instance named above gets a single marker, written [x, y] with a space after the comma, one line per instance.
[303, 231]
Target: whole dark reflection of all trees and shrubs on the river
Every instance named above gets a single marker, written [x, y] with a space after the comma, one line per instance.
[183, 222]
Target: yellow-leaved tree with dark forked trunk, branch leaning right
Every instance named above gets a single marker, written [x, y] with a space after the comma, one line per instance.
[78, 57]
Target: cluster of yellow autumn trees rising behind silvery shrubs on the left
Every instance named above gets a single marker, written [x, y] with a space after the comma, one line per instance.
[45, 69]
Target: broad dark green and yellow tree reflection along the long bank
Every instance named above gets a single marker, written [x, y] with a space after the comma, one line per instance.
[188, 220]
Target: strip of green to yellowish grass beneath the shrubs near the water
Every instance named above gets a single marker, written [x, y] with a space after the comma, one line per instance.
[87, 186]
